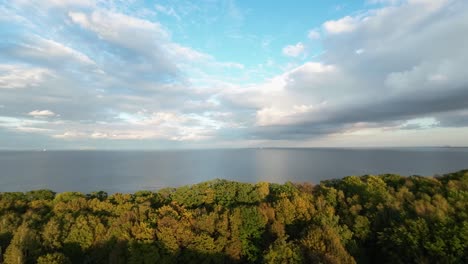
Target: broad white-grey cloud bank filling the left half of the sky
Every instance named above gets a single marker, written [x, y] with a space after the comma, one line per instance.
[132, 67]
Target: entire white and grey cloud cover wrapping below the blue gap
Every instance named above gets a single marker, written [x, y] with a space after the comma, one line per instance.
[386, 69]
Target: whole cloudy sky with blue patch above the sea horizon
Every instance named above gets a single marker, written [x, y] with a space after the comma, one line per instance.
[132, 74]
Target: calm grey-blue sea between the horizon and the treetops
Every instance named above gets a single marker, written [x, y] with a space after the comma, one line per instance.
[128, 171]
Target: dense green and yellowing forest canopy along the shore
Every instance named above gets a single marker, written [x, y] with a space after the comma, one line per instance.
[357, 219]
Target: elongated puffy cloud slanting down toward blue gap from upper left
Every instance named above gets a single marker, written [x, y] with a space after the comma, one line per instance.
[149, 43]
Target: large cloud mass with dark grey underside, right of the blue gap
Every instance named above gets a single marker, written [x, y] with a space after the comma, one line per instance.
[377, 74]
